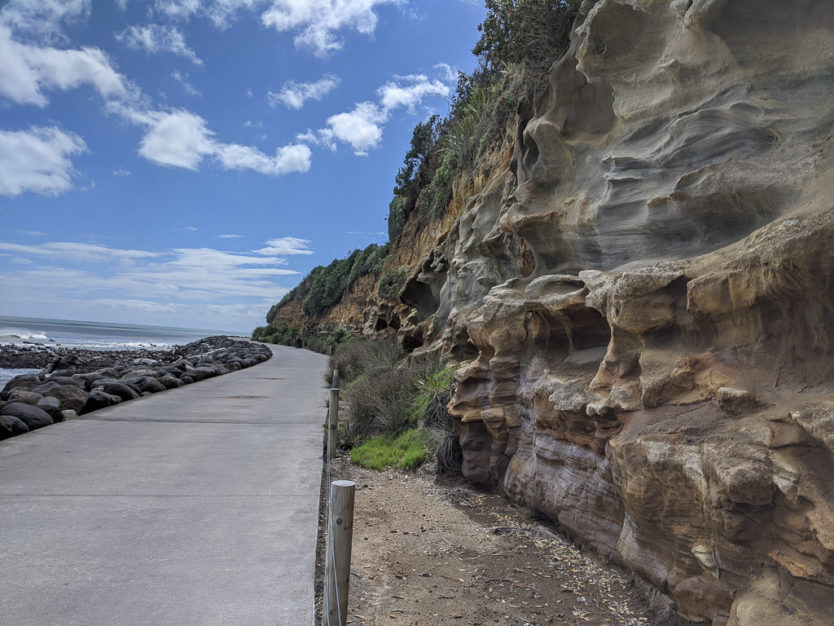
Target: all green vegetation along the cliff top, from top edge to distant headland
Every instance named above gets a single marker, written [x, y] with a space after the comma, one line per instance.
[519, 41]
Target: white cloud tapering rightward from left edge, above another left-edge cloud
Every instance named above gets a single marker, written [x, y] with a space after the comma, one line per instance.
[27, 70]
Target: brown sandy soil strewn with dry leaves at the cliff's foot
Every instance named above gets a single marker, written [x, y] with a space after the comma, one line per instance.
[429, 550]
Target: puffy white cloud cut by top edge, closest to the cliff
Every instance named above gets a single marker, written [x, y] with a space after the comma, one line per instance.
[318, 22]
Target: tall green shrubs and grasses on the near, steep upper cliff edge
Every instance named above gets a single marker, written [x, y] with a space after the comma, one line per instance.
[519, 41]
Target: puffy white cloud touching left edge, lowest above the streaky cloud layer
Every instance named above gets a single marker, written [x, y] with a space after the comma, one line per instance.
[37, 160]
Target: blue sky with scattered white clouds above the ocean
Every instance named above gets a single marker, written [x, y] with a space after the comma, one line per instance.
[187, 162]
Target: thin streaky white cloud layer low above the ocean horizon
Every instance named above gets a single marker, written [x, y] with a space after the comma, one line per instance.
[213, 288]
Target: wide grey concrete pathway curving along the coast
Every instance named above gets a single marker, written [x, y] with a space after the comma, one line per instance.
[193, 506]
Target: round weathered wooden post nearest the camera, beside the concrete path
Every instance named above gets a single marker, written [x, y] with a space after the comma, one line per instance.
[337, 561]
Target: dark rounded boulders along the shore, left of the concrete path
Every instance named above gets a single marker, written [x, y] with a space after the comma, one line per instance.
[74, 382]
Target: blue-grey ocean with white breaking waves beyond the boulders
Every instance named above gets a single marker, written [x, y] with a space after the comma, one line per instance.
[92, 336]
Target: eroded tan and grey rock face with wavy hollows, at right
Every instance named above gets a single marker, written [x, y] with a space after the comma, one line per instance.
[643, 303]
